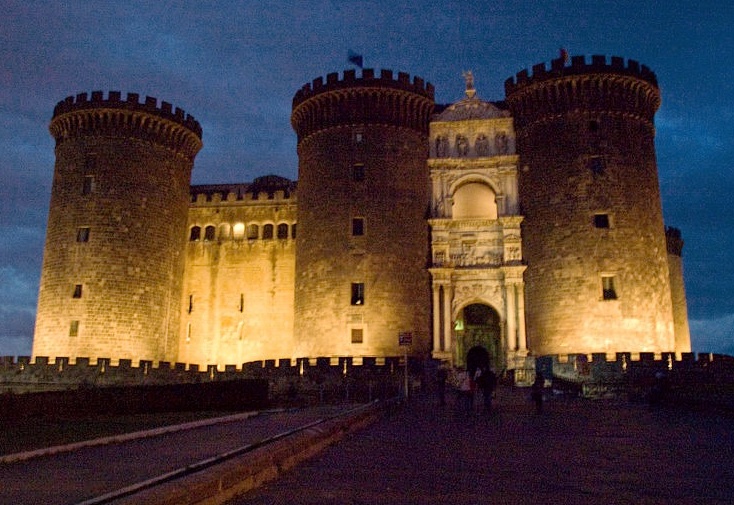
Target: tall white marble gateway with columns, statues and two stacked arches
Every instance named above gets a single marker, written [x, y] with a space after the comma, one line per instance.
[476, 265]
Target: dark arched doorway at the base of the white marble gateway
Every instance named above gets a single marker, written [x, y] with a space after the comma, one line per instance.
[478, 338]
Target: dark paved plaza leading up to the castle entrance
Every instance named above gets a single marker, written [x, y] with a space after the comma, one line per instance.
[576, 452]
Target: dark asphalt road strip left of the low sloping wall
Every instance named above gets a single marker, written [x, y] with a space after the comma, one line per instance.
[72, 477]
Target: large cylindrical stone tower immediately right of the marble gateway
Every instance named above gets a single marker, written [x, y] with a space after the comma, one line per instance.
[593, 236]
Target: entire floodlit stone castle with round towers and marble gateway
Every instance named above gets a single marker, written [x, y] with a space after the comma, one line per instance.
[478, 230]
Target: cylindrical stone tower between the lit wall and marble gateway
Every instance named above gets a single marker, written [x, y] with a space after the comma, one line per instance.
[363, 194]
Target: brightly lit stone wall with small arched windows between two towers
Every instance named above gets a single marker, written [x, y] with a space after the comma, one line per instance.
[237, 301]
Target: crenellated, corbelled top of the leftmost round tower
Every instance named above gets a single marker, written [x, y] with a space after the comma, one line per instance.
[82, 115]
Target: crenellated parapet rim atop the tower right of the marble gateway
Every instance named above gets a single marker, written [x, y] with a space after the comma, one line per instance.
[580, 66]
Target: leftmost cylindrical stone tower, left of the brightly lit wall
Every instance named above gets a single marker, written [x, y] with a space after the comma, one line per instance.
[113, 262]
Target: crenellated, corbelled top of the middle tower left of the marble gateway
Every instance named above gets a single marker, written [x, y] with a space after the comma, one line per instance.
[362, 100]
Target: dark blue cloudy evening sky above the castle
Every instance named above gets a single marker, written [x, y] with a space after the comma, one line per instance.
[236, 65]
